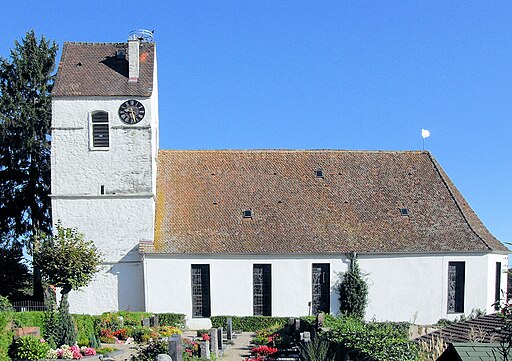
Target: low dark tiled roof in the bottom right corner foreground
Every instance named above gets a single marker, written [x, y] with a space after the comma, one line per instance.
[480, 329]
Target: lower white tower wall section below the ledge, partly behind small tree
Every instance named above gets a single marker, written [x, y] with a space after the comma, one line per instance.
[116, 225]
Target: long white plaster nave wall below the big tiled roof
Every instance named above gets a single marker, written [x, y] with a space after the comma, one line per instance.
[401, 288]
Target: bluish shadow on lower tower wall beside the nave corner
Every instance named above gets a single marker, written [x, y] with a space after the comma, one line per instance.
[129, 274]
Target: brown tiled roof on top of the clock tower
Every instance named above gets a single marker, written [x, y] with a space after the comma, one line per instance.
[91, 69]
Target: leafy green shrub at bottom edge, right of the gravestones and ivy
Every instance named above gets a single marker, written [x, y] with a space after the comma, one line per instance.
[370, 342]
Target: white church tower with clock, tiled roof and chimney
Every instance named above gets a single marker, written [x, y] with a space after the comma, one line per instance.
[104, 150]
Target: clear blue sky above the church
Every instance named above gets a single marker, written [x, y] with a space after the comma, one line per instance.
[322, 74]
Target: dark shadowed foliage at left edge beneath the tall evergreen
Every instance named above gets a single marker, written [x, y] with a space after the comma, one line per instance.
[15, 278]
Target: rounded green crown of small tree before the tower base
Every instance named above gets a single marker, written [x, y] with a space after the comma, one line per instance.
[67, 260]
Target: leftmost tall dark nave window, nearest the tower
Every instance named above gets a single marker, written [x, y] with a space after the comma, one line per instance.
[201, 290]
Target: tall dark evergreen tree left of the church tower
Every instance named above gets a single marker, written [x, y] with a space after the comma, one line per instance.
[25, 122]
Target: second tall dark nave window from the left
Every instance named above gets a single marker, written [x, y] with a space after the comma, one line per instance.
[262, 293]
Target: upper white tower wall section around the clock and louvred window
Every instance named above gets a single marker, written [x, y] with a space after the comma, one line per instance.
[127, 166]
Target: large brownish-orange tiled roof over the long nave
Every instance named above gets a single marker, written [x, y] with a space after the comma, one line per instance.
[201, 196]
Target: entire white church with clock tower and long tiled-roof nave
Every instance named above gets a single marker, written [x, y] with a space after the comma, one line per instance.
[251, 232]
